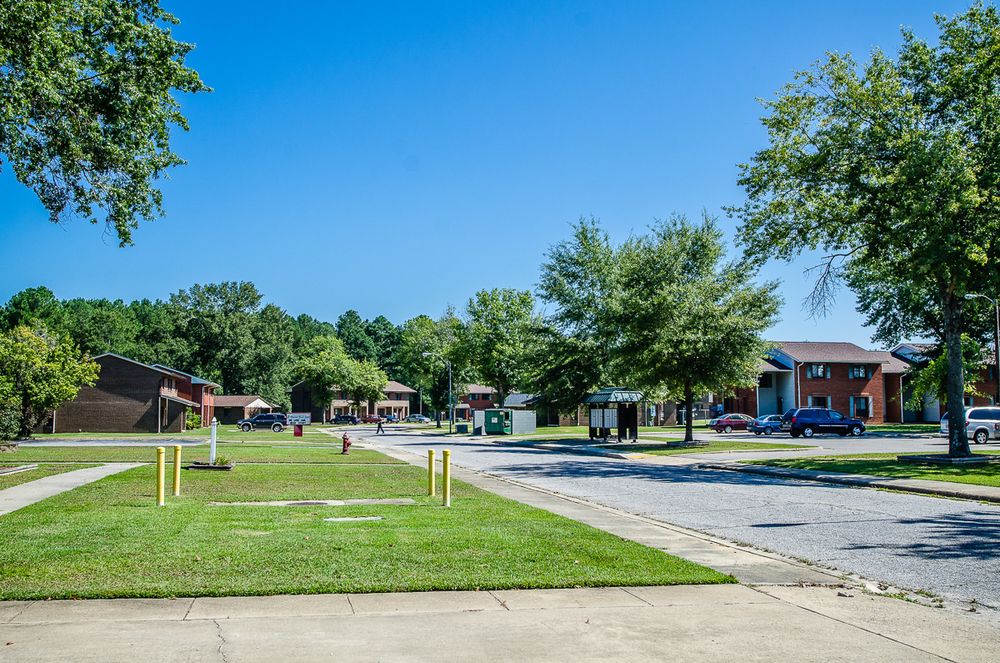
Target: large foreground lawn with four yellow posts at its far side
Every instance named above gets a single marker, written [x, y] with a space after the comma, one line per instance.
[108, 539]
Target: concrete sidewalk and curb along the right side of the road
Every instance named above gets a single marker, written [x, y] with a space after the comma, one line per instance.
[921, 486]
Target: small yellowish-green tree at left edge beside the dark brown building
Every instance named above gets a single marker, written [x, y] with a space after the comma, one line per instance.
[39, 372]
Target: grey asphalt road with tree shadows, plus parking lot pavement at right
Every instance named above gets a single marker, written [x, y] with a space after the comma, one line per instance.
[947, 547]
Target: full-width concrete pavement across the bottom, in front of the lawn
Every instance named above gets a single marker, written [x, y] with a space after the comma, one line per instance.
[710, 623]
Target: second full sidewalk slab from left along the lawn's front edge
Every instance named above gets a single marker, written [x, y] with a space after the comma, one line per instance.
[248, 607]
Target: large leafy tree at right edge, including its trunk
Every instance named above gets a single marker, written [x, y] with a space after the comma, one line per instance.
[892, 170]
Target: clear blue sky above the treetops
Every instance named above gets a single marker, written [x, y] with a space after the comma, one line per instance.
[395, 158]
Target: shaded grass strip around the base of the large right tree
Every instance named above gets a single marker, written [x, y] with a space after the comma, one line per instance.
[886, 465]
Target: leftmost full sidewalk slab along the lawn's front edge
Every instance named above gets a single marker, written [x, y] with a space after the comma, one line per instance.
[103, 610]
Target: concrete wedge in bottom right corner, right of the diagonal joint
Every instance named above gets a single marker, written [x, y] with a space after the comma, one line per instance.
[956, 637]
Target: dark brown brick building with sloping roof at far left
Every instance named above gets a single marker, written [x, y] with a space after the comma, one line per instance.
[128, 397]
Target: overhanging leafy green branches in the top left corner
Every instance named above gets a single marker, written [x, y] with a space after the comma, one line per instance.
[87, 105]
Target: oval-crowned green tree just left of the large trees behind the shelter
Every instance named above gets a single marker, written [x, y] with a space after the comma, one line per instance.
[498, 331]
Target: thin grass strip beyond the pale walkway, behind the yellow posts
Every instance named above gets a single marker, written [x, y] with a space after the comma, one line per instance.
[240, 453]
